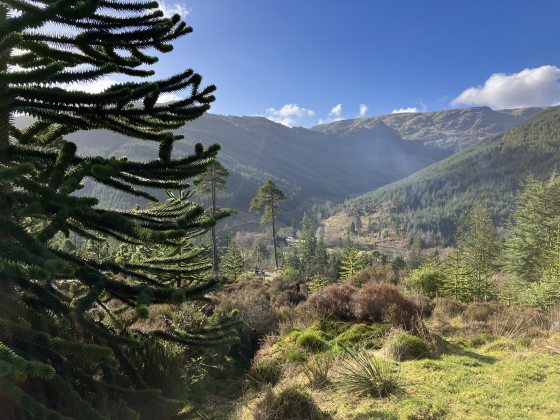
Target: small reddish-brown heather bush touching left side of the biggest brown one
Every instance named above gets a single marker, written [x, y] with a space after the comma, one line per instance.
[334, 300]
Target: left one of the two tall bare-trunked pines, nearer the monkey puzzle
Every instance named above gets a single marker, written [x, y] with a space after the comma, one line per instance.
[210, 183]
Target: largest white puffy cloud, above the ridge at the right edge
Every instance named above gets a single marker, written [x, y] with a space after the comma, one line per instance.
[530, 87]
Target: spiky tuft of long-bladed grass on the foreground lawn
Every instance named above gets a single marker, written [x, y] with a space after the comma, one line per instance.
[363, 374]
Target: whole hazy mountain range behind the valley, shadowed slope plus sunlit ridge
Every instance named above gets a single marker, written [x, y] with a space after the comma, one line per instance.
[327, 163]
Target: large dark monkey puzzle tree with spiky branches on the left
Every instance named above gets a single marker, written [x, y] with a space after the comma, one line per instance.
[58, 361]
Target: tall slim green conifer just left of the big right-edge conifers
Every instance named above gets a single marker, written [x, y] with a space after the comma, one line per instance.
[478, 240]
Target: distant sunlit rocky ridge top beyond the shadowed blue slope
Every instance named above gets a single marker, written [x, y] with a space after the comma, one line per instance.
[450, 129]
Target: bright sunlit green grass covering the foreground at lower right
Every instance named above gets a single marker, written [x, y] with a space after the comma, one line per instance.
[502, 379]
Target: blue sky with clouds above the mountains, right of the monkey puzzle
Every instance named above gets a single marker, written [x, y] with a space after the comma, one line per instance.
[313, 55]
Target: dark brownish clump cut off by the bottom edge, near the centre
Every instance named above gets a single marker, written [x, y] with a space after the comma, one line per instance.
[291, 403]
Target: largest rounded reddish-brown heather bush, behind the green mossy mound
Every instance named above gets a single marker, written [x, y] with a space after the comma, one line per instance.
[379, 302]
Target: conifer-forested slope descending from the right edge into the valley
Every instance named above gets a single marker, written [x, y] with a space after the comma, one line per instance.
[491, 172]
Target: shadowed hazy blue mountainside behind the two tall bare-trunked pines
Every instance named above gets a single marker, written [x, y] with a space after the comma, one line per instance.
[310, 166]
